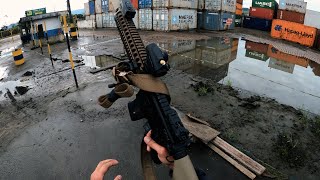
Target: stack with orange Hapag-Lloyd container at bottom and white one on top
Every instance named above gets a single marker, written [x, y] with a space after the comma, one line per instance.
[284, 28]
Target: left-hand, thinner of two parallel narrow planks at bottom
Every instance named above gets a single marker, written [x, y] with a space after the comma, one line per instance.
[240, 167]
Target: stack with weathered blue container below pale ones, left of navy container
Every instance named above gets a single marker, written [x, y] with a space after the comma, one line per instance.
[219, 14]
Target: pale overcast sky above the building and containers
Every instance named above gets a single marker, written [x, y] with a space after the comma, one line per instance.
[12, 10]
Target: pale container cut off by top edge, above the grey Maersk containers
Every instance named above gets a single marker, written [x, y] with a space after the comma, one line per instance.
[191, 4]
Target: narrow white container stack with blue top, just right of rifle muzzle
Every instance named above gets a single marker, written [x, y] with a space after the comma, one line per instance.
[145, 14]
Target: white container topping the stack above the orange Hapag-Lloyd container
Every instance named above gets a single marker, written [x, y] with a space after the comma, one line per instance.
[293, 5]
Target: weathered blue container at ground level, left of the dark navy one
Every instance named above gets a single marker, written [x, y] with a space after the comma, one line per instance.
[219, 21]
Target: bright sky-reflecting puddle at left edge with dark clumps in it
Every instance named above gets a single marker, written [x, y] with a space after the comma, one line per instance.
[15, 88]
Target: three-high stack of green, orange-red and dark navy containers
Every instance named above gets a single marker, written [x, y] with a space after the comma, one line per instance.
[261, 14]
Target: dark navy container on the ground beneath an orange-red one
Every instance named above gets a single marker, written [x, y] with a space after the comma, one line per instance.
[257, 23]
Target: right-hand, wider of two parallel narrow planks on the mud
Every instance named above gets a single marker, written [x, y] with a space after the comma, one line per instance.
[238, 155]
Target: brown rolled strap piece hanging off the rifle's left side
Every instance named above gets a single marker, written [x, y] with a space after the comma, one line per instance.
[120, 91]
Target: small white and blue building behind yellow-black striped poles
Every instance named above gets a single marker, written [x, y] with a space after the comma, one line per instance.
[30, 24]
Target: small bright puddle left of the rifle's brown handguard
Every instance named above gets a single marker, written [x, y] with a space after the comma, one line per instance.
[99, 61]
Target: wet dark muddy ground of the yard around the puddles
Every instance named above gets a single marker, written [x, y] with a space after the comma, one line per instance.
[284, 139]
